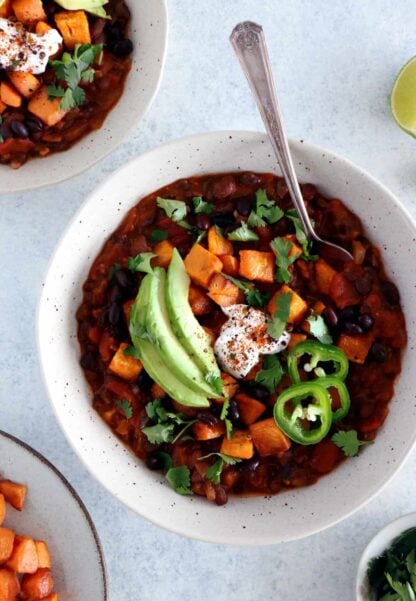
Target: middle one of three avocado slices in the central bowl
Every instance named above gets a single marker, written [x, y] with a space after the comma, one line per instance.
[170, 349]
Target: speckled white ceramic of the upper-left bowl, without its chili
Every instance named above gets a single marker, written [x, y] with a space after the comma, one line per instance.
[149, 33]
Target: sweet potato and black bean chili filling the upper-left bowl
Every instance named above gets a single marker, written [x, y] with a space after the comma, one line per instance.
[46, 108]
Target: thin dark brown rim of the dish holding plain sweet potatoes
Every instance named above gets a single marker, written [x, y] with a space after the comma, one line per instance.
[37, 455]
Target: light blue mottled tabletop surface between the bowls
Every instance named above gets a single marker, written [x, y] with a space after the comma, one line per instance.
[335, 63]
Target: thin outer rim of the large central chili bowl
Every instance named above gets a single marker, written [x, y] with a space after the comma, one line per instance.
[201, 137]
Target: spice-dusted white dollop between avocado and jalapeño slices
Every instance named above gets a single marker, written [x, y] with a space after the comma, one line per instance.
[243, 338]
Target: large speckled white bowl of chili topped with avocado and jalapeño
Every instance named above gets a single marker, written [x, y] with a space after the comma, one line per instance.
[344, 362]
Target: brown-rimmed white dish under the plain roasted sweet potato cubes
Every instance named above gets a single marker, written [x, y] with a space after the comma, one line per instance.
[53, 512]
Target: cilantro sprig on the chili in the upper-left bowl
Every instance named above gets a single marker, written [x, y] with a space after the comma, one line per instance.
[72, 69]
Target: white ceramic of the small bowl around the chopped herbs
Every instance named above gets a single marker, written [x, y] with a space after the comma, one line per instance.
[376, 547]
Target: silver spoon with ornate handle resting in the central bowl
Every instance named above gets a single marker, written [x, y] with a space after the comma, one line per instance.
[249, 44]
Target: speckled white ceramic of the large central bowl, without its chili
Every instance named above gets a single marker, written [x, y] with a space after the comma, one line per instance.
[254, 520]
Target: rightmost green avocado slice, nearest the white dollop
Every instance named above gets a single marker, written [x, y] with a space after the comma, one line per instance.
[189, 332]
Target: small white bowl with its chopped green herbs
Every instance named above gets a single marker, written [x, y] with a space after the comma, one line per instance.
[387, 568]
